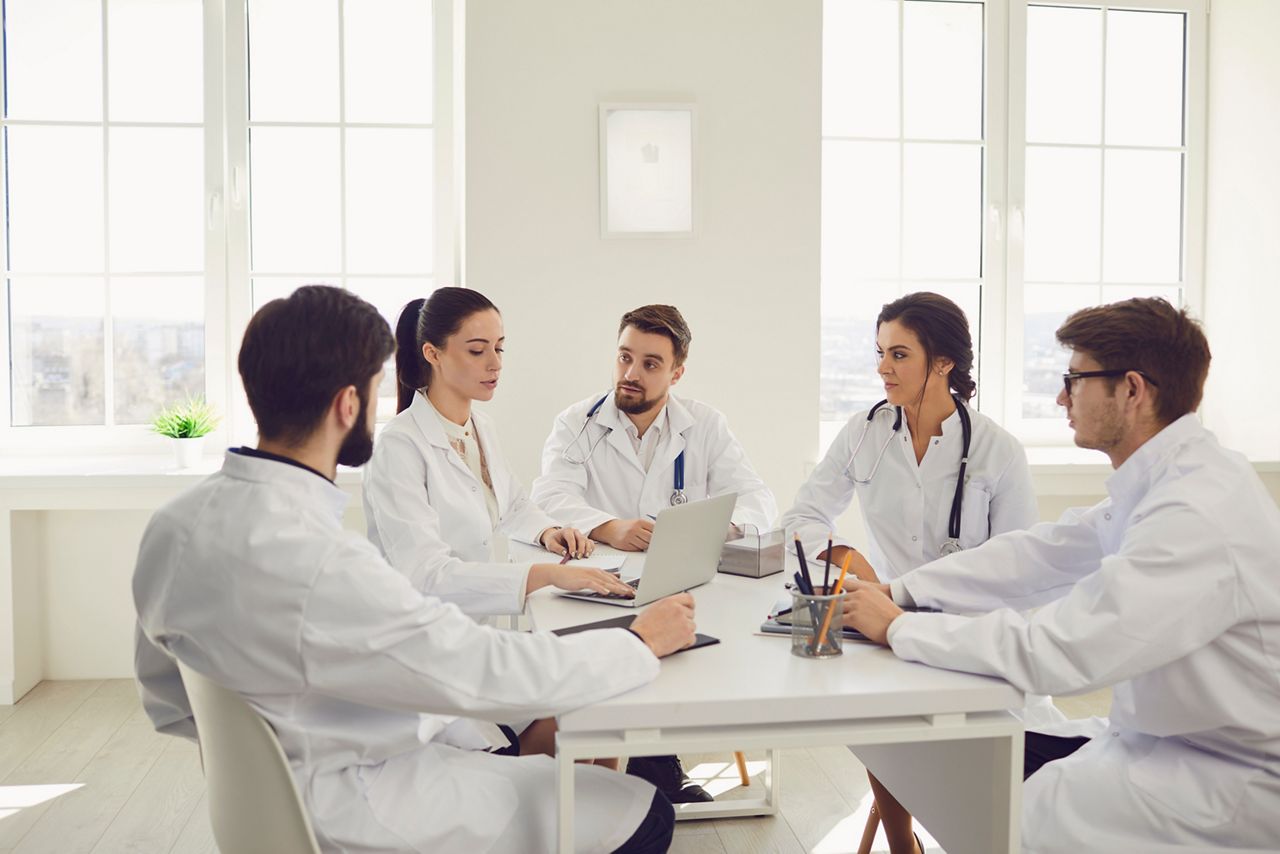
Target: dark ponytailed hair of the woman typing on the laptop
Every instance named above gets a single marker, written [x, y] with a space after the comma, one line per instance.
[424, 322]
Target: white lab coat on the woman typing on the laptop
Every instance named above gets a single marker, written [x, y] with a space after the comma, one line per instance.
[427, 513]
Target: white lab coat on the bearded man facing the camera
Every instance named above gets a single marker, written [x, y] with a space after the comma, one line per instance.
[614, 485]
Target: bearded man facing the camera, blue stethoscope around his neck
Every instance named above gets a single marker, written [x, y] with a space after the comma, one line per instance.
[615, 460]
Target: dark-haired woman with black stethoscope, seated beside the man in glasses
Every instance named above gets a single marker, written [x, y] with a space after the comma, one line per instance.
[906, 478]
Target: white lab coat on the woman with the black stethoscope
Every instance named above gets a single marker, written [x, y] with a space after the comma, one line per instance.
[907, 508]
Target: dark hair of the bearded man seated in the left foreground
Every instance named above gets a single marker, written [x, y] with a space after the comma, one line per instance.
[299, 353]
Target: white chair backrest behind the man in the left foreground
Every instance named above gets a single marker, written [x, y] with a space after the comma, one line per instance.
[254, 805]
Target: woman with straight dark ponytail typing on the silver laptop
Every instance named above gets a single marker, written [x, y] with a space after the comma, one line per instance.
[438, 491]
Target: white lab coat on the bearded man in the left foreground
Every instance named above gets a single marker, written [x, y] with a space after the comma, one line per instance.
[250, 579]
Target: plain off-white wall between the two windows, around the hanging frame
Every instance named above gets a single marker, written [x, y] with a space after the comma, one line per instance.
[748, 281]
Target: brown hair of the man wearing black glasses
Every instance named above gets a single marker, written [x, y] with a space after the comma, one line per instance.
[1149, 336]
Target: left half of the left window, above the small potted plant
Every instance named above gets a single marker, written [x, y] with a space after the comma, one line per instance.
[104, 191]
